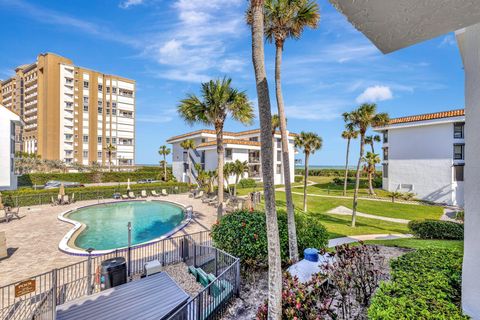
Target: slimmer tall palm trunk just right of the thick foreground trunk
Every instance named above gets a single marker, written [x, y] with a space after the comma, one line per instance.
[292, 232]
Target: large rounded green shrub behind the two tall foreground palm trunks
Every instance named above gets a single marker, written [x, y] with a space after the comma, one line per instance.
[244, 235]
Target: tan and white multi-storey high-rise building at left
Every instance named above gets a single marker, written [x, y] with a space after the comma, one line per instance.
[71, 113]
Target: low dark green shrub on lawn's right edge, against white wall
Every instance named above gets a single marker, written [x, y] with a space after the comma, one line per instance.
[436, 229]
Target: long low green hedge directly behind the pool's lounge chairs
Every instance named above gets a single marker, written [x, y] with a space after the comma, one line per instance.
[29, 197]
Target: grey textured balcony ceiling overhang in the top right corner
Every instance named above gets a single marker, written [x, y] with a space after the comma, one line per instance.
[396, 24]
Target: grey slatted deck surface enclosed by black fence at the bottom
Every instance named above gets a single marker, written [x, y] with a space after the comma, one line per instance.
[153, 297]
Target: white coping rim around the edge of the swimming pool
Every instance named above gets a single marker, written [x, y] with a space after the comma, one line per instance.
[65, 244]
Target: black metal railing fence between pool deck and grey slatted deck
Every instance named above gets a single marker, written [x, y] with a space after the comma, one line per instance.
[61, 285]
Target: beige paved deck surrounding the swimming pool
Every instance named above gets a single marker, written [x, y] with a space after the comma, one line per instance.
[33, 240]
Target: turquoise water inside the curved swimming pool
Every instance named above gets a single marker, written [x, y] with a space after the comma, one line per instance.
[106, 225]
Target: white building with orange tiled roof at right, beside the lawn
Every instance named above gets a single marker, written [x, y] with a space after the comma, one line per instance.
[425, 154]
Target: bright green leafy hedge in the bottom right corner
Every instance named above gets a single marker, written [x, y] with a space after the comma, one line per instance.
[426, 284]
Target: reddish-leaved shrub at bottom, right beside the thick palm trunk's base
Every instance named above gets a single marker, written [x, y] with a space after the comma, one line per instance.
[303, 301]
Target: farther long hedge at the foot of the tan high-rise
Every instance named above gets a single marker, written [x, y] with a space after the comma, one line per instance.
[90, 177]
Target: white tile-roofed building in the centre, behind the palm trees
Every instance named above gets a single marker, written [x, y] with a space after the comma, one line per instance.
[243, 146]
